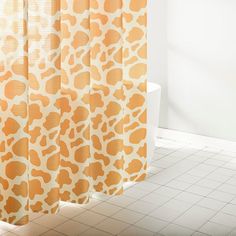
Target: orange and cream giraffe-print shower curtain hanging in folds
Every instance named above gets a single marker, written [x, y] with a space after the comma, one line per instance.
[72, 101]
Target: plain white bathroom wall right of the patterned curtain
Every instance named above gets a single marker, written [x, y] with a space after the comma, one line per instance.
[192, 55]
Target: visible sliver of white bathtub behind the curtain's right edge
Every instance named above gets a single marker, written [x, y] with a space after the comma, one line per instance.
[153, 109]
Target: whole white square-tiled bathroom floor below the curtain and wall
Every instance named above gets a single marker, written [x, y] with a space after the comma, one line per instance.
[190, 191]
